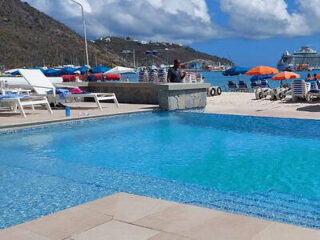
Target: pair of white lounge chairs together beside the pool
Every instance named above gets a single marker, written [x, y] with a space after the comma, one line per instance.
[46, 93]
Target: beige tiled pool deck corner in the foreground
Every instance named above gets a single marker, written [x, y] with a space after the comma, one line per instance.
[129, 217]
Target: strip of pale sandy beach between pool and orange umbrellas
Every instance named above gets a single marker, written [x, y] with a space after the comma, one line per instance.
[246, 104]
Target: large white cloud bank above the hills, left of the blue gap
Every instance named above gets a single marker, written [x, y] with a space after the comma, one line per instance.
[174, 20]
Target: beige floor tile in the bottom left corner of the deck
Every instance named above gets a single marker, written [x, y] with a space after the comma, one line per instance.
[15, 233]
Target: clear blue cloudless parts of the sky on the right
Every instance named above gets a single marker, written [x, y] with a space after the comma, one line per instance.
[250, 52]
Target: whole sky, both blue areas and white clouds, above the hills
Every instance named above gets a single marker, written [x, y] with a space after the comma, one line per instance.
[249, 32]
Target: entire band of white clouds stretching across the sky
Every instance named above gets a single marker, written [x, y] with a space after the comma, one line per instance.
[188, 20]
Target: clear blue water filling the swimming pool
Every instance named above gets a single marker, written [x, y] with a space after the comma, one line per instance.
[264, 167]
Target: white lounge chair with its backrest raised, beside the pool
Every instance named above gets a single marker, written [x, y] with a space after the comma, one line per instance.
[42, 85]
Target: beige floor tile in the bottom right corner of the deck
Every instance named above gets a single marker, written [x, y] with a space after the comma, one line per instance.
[276, 231]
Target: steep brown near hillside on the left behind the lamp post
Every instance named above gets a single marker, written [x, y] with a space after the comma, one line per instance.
[30, 38]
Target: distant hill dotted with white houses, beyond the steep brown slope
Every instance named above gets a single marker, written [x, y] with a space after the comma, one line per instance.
[166, 52]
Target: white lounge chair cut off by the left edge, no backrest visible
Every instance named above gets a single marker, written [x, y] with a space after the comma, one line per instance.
[19, 102]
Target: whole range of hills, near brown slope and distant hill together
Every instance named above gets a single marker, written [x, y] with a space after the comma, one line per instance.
[30, 38]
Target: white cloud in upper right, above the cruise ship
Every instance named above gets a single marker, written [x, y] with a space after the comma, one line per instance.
[264, 18]
